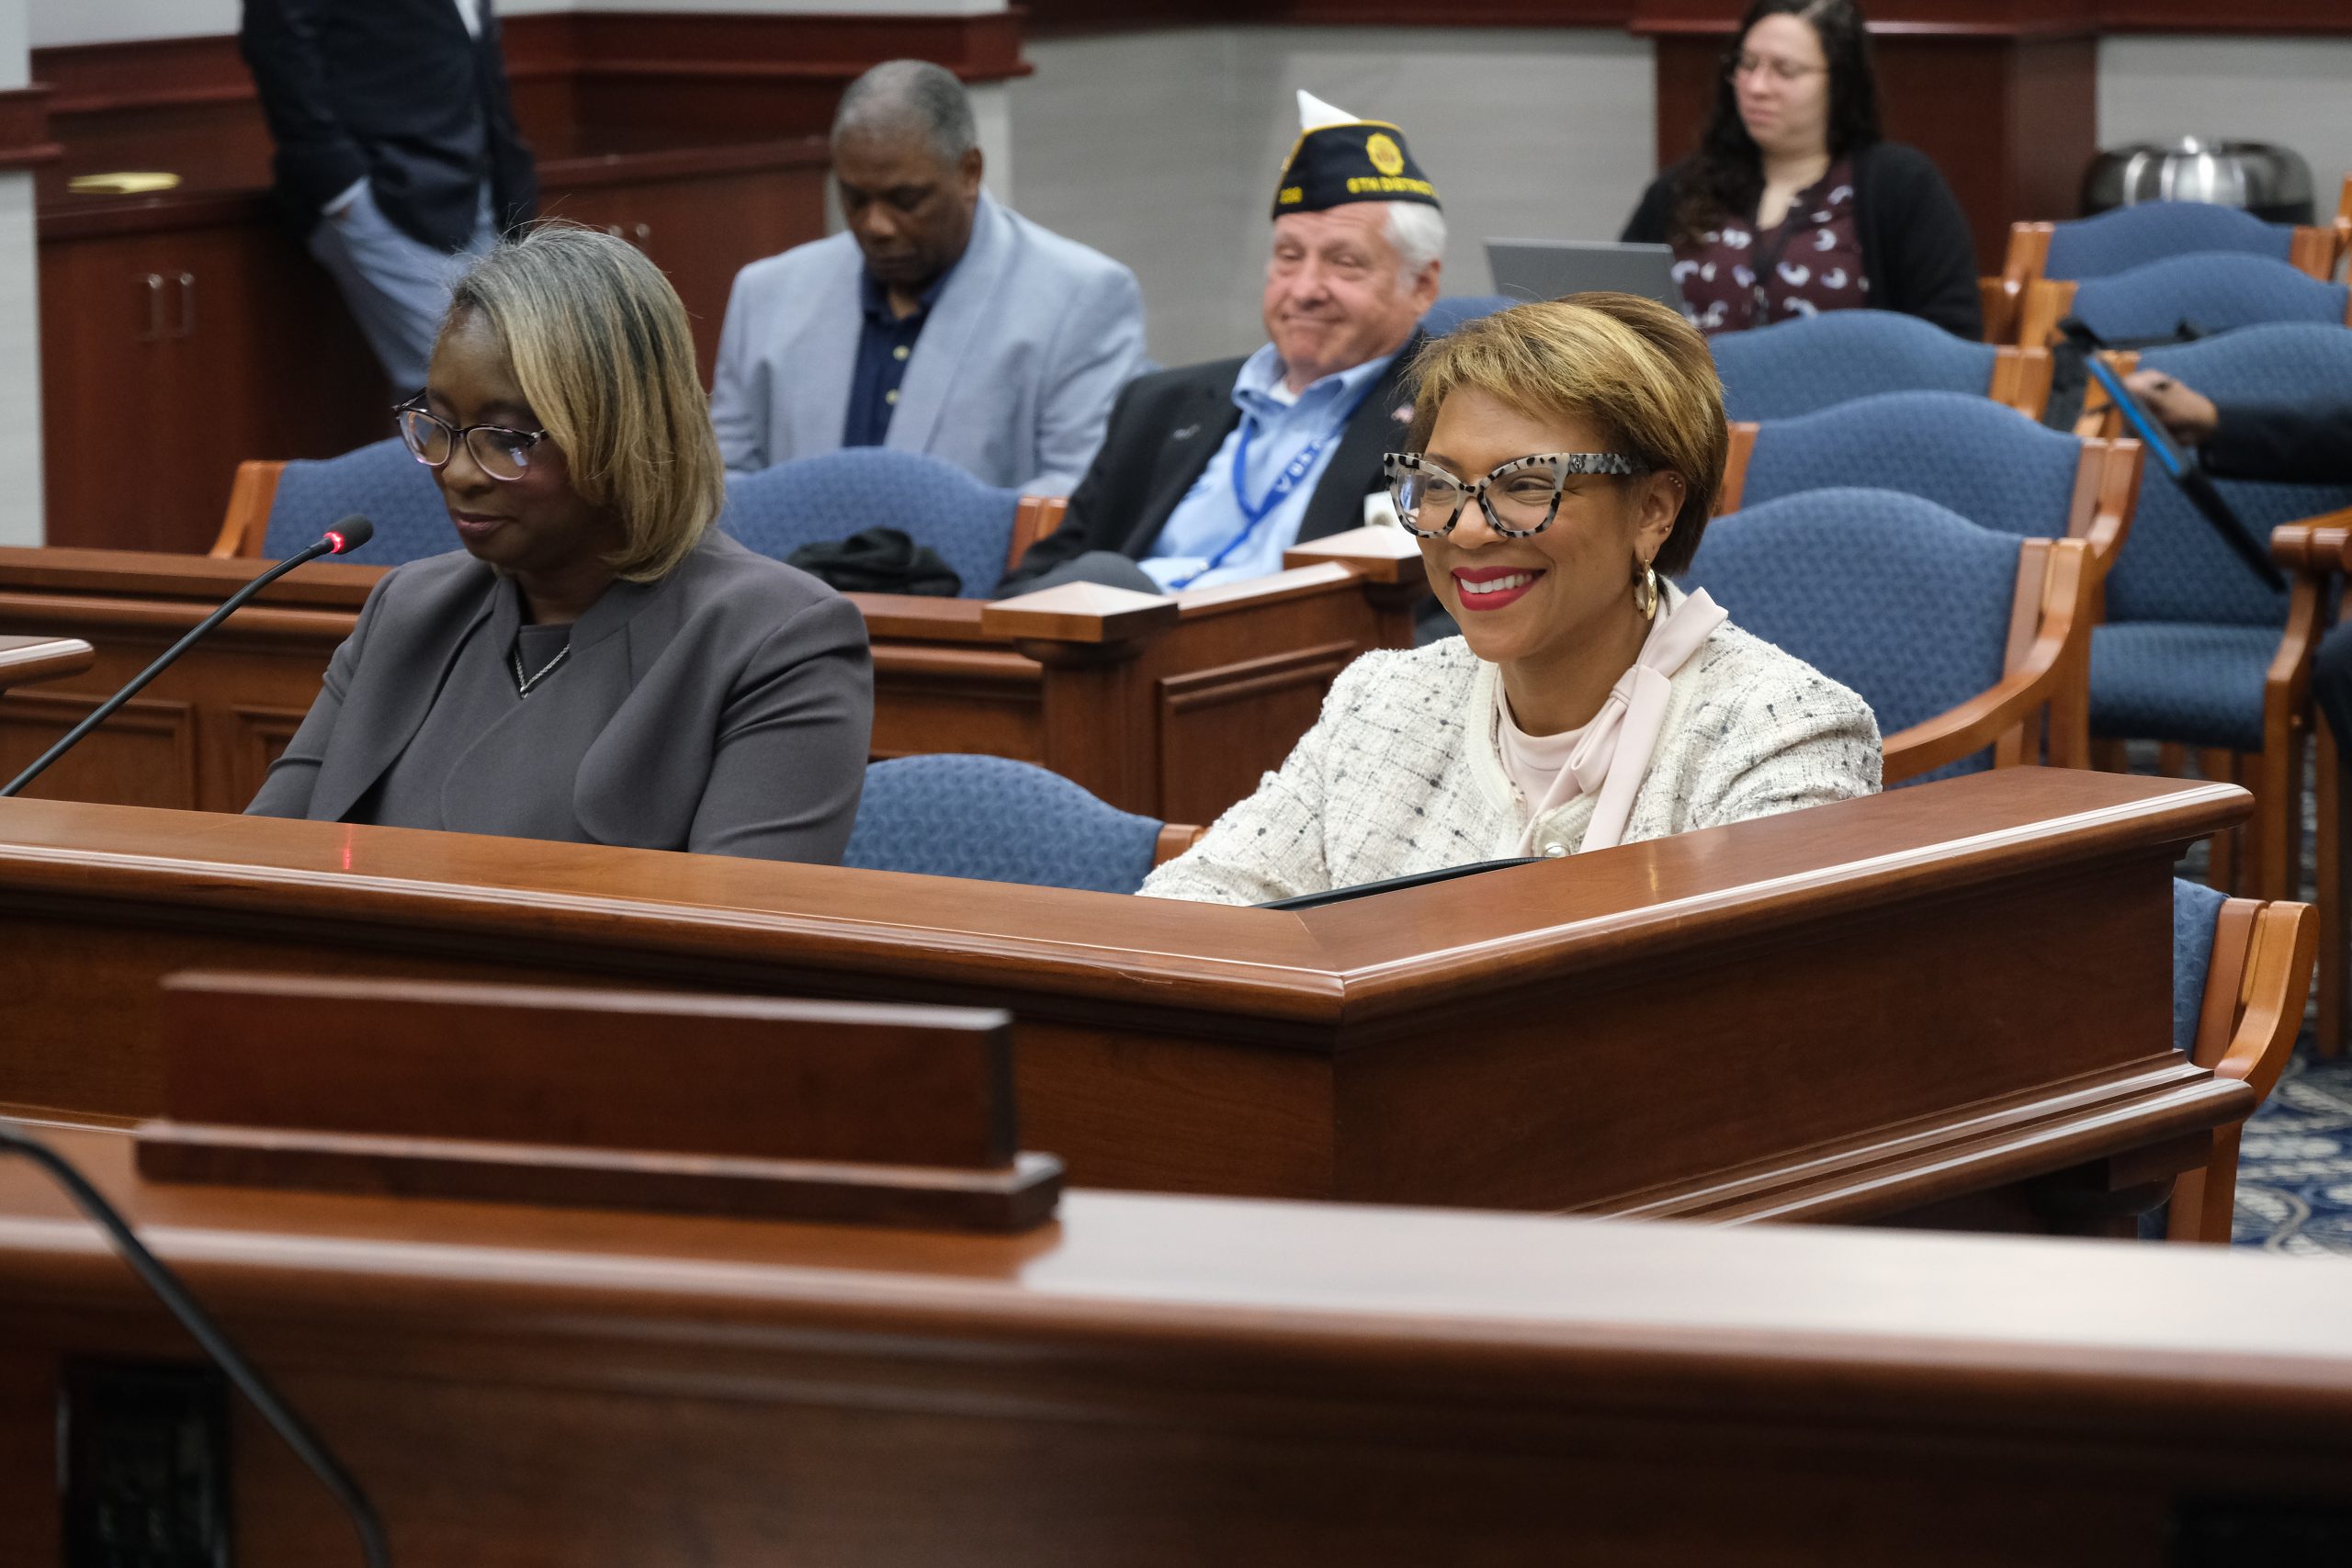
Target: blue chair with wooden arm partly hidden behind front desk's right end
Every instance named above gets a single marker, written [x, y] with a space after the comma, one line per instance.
[2240, 977]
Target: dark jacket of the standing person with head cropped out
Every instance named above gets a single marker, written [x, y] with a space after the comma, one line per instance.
[396, 93]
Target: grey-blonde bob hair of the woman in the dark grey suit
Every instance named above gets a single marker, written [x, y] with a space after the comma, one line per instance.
[603, 354]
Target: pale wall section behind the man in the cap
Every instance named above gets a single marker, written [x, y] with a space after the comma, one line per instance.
[1163, 147]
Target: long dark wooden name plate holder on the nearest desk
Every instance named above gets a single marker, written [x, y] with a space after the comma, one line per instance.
[596, 1099]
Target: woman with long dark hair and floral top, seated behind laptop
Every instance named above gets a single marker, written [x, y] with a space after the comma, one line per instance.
[1796, 203]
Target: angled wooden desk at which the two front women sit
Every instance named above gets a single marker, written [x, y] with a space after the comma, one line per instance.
[1949, 1005]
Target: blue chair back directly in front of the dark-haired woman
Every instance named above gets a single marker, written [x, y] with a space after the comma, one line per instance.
[1838, 356]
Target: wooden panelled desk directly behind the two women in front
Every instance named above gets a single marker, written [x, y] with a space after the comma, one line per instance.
[1175, 718]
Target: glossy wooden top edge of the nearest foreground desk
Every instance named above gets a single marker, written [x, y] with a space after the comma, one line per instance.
[1551, 1308]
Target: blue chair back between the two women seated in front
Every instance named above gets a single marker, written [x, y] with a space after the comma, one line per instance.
[994, 819]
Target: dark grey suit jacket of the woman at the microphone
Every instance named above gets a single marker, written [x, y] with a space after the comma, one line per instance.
[723, 709]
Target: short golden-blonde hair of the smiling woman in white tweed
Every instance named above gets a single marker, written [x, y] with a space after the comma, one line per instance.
[1619, 363]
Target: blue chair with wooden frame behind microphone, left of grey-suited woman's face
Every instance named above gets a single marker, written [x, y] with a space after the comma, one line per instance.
[276, 509]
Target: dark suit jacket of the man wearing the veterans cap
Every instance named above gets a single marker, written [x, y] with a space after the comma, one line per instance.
[1163, 434]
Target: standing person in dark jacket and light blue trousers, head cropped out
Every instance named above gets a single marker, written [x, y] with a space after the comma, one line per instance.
[399, 159]
